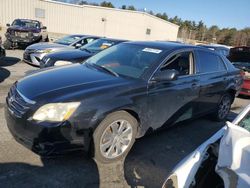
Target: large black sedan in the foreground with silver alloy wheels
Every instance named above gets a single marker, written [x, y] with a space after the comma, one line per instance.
[119, 94]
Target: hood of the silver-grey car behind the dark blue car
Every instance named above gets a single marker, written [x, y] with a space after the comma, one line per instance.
[46, 45]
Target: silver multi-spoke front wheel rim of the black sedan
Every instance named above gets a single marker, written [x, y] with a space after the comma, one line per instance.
[116, 138]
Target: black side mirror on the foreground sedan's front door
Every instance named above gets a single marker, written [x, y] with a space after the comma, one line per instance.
[166, 75]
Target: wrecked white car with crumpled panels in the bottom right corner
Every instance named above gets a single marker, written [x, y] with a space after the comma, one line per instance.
[222, 161]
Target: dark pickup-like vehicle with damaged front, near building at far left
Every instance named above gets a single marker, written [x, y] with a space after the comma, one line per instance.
[25, 32]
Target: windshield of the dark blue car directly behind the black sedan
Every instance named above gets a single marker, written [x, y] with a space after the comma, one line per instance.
[98, 45]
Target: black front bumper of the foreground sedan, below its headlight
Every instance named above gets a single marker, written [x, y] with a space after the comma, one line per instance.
[48, 139]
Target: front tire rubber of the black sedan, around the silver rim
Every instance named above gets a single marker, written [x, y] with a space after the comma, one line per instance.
[101, 128]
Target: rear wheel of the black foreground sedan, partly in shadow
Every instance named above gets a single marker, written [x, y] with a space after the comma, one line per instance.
[223, 107]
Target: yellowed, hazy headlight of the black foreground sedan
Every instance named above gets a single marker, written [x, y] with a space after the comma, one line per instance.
[56, 112]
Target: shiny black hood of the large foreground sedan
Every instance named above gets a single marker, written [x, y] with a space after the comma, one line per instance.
[64, 80]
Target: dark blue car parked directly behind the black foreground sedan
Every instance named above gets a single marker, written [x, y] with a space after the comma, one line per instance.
[69, 56]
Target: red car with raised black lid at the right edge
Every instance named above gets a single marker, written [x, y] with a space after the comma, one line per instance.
[240, 57]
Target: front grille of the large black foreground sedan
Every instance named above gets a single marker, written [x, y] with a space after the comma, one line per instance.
[17, 103]
